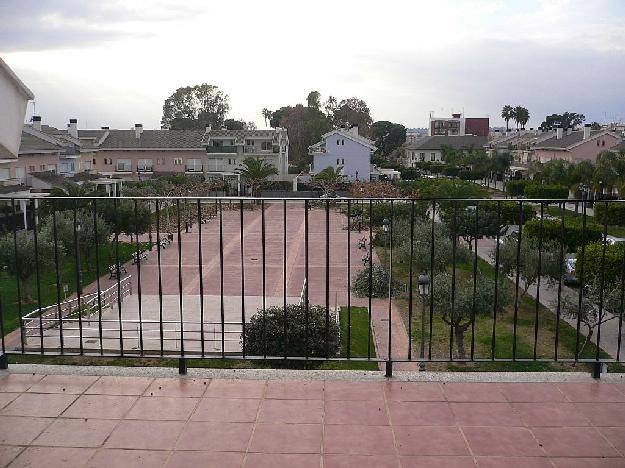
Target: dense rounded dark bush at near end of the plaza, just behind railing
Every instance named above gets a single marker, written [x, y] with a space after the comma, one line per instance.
[266, 336]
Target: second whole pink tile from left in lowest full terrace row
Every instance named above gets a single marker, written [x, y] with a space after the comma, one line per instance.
[145, 435]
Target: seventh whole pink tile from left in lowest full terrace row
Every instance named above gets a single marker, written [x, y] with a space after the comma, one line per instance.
[502, 441]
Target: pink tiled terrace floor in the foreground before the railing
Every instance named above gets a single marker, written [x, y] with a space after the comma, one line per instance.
[145, 421]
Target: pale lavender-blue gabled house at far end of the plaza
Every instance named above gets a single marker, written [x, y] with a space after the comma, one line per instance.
[343, 148]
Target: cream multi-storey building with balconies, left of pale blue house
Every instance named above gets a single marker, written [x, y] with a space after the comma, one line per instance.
[226, 150]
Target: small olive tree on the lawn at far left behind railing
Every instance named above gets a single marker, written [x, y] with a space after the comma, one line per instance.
[26, 263]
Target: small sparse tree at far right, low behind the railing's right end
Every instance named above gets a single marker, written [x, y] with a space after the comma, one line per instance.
[590, 314]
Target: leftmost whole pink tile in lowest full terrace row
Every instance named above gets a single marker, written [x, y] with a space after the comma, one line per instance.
[76, 432]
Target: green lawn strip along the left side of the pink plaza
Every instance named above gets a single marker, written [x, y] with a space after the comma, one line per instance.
[67, 275]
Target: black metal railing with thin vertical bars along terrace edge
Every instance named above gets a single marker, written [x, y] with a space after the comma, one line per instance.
[434, 280]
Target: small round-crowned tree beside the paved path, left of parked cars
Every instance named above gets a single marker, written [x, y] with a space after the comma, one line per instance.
[528, 260]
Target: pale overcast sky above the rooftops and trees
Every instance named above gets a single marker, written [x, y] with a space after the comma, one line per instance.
[114, 62]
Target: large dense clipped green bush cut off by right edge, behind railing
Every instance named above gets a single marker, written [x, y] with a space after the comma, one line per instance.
[613, 264]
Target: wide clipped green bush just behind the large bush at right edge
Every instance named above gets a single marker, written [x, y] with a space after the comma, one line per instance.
[574, 234]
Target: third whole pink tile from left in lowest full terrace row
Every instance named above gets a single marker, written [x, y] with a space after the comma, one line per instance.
[215, 436]
